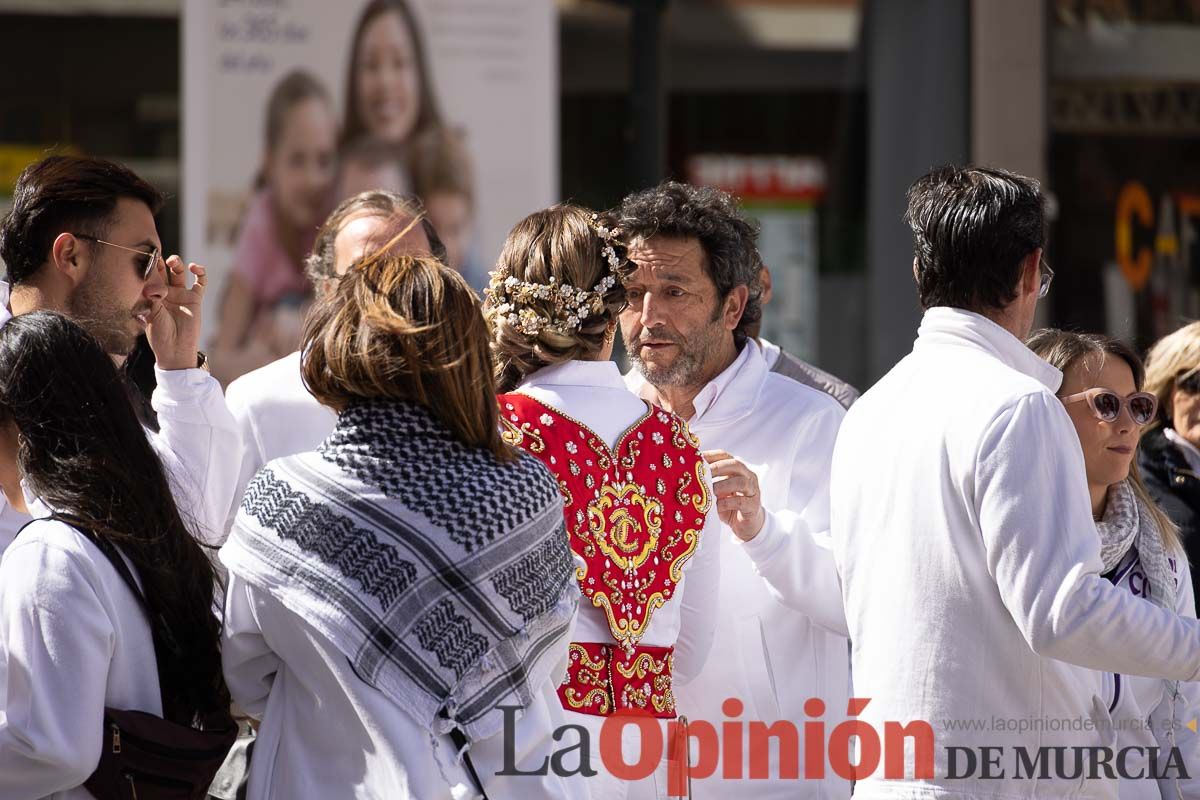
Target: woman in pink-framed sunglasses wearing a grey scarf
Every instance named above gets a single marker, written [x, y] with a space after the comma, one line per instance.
[1102, 392]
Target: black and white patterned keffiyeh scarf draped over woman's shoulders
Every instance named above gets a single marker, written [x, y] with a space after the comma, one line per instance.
[445, 578]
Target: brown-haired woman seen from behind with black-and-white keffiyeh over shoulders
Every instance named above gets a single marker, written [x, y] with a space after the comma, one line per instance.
[391, 592]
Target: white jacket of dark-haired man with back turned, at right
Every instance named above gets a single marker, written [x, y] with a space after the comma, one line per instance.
[970, 564]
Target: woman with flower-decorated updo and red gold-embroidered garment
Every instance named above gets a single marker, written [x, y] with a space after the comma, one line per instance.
[638, 497]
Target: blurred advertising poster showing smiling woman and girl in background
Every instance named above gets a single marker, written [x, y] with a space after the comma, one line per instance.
[292, 106]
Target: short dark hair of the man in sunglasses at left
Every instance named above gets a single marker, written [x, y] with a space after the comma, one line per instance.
[65, 195]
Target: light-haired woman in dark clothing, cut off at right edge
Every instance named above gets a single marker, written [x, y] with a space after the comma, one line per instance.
[1169, 456]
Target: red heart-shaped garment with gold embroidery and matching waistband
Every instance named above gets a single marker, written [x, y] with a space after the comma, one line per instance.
[634, 515]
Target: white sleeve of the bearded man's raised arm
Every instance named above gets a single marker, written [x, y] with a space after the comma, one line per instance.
[794, 552]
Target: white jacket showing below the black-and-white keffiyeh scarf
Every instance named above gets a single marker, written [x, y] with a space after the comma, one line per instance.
[327, 733]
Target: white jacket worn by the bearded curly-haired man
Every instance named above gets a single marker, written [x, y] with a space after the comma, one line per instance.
[772, 657]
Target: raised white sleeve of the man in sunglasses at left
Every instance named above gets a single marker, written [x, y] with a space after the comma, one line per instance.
[200, 443]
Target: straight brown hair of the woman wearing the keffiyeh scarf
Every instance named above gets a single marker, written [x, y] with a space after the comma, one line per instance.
[406, 328]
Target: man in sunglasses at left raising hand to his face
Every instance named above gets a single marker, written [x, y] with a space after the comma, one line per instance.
[81, 239]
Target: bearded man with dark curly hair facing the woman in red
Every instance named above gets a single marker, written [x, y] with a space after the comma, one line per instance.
[693, 297]
